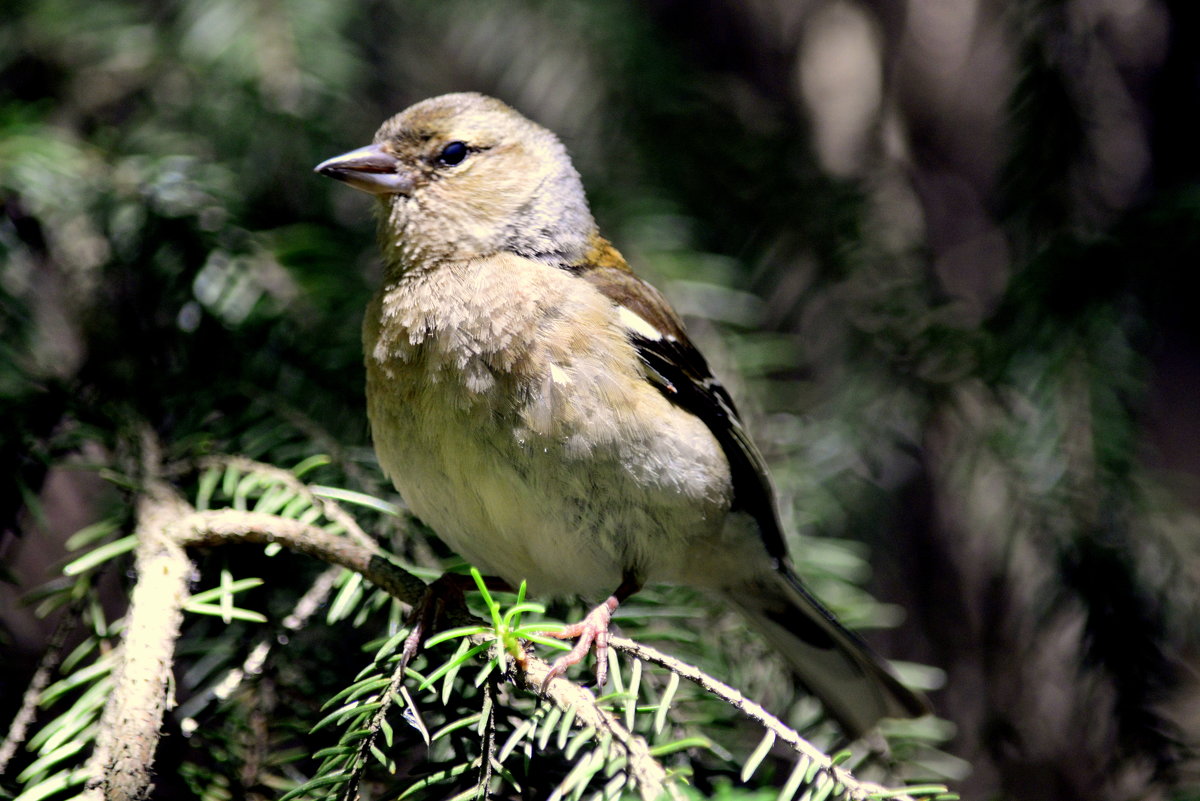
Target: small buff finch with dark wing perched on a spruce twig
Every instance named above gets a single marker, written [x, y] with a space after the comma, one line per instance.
[543, 409]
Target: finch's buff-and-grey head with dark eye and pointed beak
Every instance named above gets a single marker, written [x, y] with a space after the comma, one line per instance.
[464, 177]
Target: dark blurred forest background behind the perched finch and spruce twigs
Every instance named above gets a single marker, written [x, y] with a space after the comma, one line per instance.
[945, 252]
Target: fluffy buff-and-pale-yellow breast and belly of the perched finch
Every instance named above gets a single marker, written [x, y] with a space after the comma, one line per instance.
[512, 413]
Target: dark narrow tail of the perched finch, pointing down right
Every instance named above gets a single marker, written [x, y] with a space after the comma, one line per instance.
[856, 686]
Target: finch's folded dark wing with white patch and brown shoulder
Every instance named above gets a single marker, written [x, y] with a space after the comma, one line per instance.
[675, 366]
